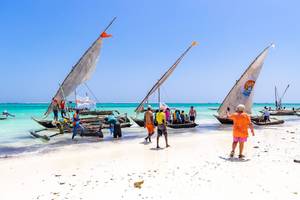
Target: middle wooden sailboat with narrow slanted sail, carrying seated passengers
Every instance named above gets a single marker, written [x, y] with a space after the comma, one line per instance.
[156, 87]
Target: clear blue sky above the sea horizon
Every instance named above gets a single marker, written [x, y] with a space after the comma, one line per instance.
[41, 40]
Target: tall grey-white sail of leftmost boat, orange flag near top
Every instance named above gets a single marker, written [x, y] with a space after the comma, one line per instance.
[82, 71]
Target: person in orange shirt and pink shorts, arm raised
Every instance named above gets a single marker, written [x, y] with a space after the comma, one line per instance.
[241, 123]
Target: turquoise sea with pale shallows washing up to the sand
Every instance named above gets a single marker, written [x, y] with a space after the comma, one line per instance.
[15, 137]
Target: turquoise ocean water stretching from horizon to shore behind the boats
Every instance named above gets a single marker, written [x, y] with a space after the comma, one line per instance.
[15, 131]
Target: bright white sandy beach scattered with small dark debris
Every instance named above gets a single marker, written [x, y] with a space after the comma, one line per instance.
[190, 169]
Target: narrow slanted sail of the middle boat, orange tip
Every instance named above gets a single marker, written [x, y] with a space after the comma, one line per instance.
[165, 76]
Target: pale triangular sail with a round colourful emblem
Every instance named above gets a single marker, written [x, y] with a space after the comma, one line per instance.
[242, 91]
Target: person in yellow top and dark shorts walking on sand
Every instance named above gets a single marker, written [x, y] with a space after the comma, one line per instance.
[161, 127]
